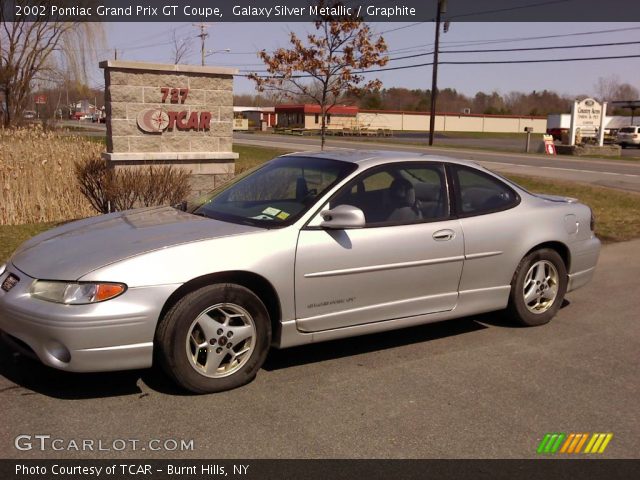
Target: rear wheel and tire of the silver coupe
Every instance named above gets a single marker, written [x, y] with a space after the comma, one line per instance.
[537, 288]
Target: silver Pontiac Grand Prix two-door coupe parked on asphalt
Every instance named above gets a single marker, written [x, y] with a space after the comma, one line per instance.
[309, 247]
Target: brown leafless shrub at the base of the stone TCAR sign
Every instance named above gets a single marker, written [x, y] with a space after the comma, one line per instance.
[109, 189]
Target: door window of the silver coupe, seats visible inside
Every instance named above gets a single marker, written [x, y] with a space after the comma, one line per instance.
[398, 194]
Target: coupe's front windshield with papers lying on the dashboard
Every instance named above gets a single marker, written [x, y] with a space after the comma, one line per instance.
[276, 194]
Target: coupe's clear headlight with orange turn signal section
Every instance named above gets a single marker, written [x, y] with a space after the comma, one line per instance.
[75, 293]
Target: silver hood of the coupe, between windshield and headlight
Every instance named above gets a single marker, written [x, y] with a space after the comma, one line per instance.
[77, 248]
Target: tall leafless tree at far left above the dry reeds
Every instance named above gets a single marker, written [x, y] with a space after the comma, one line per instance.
[39, 50]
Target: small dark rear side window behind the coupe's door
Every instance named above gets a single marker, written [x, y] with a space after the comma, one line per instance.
[479, 193]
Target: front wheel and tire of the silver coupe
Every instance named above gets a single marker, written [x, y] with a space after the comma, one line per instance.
[214, 339]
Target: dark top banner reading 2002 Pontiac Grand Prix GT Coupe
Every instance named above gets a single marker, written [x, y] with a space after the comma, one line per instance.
[312, 10]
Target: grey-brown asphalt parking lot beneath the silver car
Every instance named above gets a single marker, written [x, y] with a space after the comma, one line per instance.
[470, 388]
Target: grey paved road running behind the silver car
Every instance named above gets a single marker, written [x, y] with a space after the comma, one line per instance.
[624, 175]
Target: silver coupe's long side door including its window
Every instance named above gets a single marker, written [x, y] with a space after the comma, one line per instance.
[406, 261]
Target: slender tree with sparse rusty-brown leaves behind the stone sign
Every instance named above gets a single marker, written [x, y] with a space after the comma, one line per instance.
[326, 66]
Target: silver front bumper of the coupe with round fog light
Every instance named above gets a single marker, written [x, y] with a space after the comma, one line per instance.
[112, 335]
